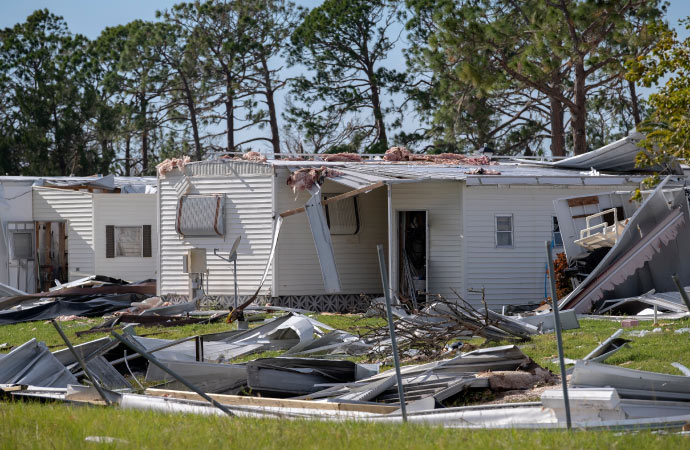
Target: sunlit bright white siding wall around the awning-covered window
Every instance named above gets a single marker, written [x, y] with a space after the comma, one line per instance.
[248, 213]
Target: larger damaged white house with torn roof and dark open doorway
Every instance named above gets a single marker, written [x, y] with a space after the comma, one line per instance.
[452, 229]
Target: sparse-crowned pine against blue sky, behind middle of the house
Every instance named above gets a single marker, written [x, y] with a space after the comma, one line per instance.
[343, 42]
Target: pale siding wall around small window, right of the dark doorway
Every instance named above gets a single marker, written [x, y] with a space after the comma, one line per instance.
[511, 276]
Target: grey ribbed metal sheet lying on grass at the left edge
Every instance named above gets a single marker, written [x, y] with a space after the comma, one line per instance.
[32, 363]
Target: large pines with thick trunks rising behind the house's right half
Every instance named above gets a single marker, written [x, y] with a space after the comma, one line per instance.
[493, 69]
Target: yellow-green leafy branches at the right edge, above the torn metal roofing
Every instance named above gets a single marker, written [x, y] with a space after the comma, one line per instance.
[668, 126]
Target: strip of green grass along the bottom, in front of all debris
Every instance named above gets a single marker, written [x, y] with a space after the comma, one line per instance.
[33, 425]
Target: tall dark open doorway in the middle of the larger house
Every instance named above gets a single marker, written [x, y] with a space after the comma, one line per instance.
[413, 238]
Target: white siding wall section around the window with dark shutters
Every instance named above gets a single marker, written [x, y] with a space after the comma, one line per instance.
[125, 210]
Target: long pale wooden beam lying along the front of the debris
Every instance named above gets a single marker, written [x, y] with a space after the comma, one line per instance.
[239, 400]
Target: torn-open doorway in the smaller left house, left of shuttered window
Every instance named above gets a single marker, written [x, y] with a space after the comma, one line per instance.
[51, 254]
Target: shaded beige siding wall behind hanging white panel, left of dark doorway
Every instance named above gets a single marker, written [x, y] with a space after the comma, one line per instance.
[297, 266]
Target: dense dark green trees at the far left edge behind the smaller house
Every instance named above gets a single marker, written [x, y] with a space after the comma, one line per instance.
[49, 101]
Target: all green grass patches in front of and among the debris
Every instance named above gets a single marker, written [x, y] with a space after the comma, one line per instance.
[33, 425]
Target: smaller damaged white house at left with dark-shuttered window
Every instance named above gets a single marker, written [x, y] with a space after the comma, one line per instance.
[59, 229]
